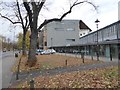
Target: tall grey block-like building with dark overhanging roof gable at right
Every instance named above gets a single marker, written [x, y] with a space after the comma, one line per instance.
[64, 33]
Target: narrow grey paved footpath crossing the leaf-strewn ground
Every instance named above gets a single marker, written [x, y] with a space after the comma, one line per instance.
[27, 75]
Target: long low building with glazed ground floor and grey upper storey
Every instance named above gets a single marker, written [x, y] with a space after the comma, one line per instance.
[107, 38]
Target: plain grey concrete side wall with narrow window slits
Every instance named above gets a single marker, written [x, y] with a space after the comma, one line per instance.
[62, 33]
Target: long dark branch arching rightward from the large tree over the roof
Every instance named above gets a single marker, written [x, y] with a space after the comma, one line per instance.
[65, 14]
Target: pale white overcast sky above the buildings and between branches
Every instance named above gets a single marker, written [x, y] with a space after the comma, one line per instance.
[107, 14]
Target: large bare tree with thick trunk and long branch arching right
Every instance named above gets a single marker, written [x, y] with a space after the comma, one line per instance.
[33, 9]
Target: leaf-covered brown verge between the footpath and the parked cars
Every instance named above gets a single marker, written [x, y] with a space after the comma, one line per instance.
[53, 61]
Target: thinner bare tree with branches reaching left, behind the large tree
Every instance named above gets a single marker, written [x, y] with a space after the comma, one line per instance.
[20, 20]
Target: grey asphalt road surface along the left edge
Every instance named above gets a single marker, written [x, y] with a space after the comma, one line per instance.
[6, 62]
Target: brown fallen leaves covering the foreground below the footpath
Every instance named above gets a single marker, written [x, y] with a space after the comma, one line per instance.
[97, 78]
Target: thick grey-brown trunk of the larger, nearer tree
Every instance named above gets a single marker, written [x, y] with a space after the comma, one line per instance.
[32, 59]
